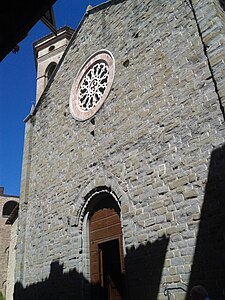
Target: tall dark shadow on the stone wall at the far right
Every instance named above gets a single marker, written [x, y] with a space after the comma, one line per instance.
[208, 268]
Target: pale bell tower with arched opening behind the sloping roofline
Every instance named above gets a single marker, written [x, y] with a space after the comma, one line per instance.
[47, 53]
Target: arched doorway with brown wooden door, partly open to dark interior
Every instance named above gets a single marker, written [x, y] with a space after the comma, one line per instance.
[106, 250]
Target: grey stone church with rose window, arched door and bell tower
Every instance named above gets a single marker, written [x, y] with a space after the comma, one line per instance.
[123, 168]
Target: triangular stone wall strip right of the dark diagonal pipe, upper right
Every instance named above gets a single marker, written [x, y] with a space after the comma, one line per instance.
[210, 20]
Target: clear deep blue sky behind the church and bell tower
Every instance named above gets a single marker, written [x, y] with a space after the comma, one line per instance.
[17, 91]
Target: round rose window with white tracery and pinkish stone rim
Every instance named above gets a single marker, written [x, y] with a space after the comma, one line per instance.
[92, 85]
